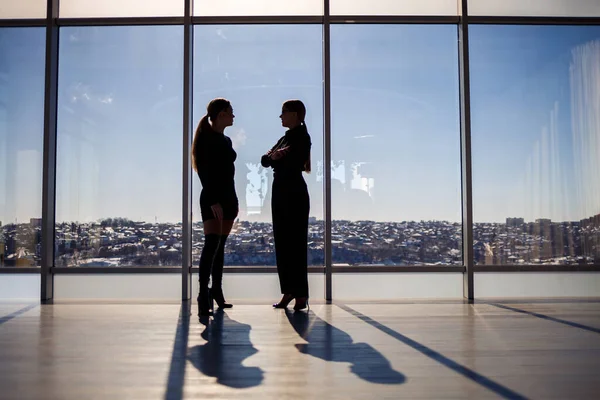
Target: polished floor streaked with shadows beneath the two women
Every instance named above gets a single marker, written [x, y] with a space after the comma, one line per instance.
[421, 350]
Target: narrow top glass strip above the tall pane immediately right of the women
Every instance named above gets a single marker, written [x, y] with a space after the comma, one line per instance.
[394, 7]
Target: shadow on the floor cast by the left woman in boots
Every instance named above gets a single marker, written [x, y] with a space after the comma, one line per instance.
[228, 345]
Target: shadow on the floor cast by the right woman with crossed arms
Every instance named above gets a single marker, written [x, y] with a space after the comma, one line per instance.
[332, 344]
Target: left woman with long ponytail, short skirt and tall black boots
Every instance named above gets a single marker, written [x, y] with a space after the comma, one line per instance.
[213, 158]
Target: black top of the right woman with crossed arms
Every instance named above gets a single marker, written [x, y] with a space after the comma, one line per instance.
[292, 163]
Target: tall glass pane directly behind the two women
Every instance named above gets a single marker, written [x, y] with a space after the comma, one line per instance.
[258, 67]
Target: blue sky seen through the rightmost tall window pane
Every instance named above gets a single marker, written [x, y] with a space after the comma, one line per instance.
[520, 84]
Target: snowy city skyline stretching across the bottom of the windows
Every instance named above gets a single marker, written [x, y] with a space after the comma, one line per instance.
[124, 243]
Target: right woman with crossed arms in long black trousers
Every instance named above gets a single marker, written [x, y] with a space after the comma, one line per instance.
[290, 204]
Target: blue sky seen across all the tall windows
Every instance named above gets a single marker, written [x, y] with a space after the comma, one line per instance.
[395, 118]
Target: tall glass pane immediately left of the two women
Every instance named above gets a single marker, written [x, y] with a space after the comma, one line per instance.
[119, 146]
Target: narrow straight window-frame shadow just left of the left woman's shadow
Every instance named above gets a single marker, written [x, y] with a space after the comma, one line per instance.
[178, 359]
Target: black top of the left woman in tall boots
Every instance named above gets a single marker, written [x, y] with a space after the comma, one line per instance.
[214, 157]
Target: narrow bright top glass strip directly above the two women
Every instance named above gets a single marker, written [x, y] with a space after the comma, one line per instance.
[257, 7]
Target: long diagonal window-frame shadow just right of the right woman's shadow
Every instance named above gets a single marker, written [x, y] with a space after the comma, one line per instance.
[495, 387]
